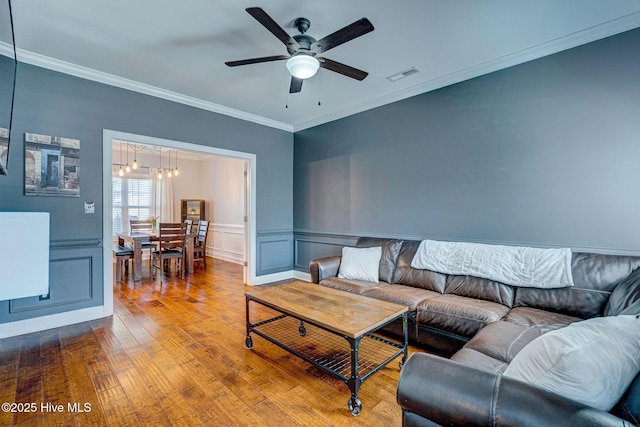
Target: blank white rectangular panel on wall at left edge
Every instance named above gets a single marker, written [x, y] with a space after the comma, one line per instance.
[24, 254]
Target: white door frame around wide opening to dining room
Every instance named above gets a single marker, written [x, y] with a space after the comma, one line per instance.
[107, 143]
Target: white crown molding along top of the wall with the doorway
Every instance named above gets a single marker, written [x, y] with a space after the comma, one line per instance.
[123, 83]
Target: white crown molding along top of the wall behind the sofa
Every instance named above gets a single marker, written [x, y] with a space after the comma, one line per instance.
[609, 28]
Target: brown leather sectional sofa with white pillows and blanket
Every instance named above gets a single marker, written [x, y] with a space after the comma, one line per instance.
[479, 325]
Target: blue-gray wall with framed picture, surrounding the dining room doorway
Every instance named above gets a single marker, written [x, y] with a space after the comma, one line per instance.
[56, 104]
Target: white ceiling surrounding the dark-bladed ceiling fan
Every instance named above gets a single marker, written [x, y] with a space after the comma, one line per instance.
[177, 49]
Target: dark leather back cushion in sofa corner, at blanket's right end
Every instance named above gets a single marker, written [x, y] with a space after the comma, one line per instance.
[594, 277]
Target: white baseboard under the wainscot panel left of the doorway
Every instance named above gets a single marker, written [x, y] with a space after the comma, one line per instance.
[35, 324]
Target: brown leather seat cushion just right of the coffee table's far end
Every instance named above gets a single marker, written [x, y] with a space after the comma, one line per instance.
[459, 315]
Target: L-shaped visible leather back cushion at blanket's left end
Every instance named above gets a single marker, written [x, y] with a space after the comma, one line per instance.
[407, 275]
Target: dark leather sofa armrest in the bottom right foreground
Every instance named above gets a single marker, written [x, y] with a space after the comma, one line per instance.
[450, 393]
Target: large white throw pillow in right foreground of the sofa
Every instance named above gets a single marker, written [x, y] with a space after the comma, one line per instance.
[592, 361]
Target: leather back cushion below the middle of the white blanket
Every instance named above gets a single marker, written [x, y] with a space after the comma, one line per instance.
[479, 288]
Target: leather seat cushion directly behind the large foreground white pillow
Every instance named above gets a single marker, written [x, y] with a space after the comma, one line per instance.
[502, 340]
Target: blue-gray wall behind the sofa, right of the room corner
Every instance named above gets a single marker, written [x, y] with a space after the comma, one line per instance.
[545, 154]
